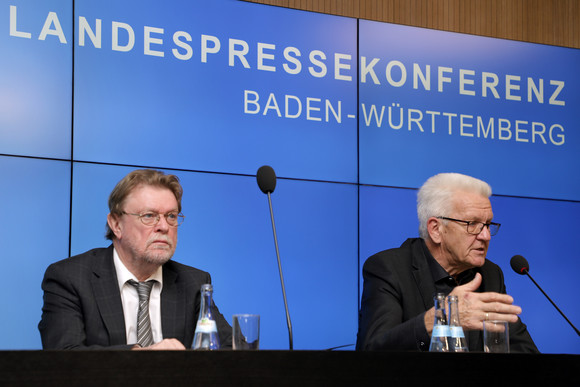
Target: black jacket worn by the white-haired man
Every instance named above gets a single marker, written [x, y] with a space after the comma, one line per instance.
[398, 289]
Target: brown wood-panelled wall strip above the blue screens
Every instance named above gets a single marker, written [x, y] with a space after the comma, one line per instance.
[555, 22]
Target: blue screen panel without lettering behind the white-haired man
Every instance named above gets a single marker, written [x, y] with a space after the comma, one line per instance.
[534, 228]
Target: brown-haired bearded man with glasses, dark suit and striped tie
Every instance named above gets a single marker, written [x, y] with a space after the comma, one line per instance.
[91, 300]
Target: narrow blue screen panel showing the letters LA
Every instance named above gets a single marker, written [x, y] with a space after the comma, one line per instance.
[35, 78]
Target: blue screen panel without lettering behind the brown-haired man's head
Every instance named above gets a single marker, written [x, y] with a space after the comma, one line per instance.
[228, 232]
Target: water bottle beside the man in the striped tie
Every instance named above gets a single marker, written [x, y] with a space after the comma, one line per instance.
[206, 335]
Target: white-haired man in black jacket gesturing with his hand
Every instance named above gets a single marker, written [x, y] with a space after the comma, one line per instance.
[455, 228]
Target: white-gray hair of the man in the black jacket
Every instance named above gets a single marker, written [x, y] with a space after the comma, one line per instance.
[436, 194]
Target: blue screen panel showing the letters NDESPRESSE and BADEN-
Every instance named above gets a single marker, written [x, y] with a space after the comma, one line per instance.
[217, 111]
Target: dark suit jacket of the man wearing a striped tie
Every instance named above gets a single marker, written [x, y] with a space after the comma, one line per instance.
[83, 310]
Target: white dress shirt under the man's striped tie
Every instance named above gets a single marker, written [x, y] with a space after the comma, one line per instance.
[130, 300]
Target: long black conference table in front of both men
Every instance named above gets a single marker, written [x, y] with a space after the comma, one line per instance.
[283, 368]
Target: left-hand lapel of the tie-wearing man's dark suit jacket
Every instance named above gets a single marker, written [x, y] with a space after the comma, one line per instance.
[108, 297]
